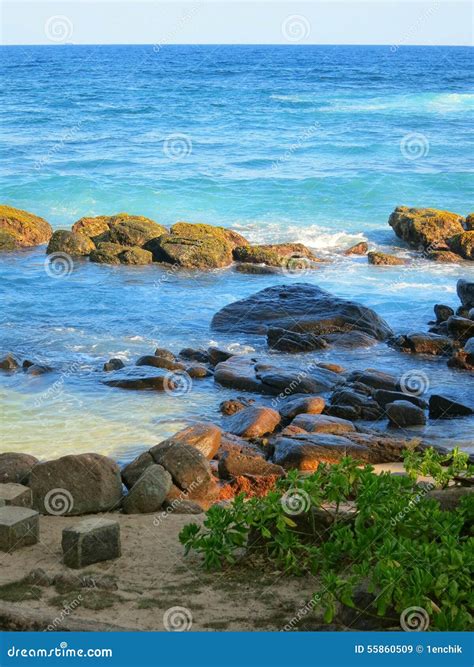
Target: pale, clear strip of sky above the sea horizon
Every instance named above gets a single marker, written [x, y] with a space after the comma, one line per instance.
[406, 22]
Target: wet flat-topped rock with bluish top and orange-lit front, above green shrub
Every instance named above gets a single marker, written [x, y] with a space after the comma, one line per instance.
[306, 451]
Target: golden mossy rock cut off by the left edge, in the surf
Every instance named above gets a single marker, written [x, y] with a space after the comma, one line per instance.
[25, 228]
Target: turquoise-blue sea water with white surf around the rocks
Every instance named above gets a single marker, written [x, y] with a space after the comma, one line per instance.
[310, 144]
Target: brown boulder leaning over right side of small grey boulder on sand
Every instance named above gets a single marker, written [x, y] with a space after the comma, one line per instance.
[188, 467]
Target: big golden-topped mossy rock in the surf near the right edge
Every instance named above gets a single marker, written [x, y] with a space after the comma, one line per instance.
[424, 227]
